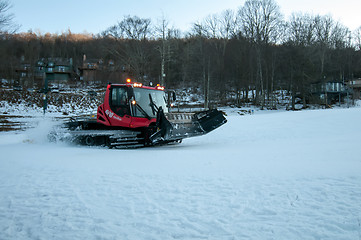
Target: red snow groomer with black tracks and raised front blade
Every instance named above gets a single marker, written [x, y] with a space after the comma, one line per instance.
[133, 115]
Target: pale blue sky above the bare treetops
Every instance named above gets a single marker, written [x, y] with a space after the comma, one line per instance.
[94, 16]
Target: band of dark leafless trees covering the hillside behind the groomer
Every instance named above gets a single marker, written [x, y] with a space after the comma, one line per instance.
[243, 55]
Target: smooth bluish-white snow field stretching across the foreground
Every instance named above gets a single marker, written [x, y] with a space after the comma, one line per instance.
[271, 175]
